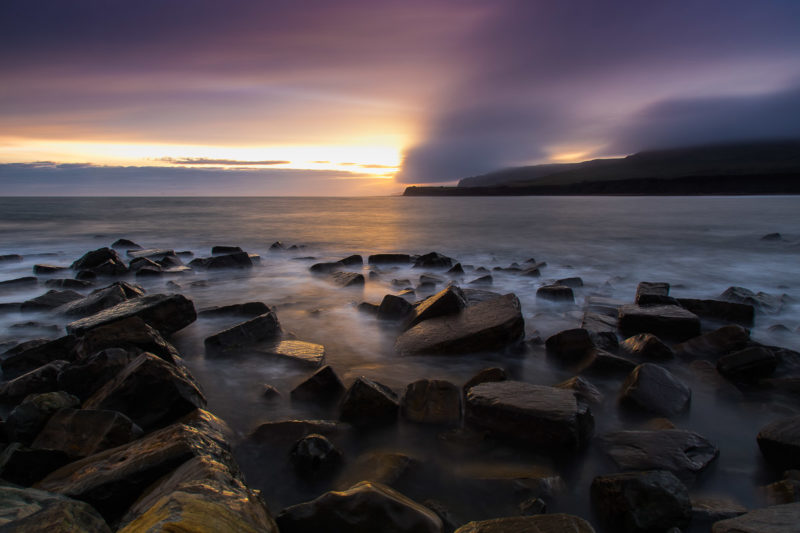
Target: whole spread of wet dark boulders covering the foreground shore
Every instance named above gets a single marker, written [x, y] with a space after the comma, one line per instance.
[107, 428]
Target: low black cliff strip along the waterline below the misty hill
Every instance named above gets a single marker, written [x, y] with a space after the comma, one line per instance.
[775, 184]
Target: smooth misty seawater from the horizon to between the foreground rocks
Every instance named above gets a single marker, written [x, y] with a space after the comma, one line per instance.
[700, 245]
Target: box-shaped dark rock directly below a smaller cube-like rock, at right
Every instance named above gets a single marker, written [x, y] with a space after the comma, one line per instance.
[665, 321]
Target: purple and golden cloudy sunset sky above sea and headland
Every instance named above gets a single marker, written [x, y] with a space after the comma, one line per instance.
[363, 97]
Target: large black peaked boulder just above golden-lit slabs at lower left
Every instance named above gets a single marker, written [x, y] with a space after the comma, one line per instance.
[152, 392]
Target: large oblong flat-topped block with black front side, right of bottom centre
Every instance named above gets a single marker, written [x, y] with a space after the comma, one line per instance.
[545, 417]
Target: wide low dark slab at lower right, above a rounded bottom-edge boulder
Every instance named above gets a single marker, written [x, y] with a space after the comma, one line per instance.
[684, 453]
